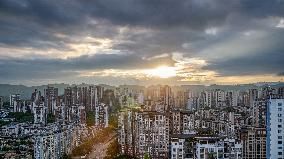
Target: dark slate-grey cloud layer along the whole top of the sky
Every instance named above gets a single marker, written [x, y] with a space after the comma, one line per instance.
[68, 16]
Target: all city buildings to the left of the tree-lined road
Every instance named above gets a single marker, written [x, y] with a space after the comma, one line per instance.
[58, 122]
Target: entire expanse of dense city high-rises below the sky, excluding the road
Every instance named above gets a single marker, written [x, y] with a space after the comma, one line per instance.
[157, 121]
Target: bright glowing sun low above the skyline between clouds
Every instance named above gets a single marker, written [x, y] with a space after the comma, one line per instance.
[162, 72]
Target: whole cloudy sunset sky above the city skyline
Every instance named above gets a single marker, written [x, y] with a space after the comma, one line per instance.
[141, 41]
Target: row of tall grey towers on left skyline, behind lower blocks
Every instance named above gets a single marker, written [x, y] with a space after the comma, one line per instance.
[71, 106]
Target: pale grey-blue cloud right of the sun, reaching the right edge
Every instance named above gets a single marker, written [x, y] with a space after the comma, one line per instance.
[256, 54]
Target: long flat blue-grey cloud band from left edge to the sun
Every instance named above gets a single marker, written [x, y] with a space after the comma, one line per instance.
[47, 68]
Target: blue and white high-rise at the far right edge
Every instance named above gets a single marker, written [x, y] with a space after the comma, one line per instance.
[275, 129]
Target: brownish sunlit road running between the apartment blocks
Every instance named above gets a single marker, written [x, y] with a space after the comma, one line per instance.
[99, 149]
